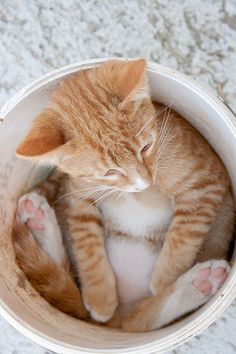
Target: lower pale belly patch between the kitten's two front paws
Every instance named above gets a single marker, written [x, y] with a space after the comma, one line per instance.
[132, 263]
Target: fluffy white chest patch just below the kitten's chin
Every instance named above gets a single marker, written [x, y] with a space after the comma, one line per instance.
[138, 214]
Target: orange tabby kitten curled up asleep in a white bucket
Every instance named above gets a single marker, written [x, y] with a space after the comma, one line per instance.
[142, 185]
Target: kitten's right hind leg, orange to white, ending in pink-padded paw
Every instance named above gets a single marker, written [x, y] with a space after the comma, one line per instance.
[190, 291]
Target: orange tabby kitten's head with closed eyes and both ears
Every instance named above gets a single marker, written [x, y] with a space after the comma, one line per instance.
[99, 127]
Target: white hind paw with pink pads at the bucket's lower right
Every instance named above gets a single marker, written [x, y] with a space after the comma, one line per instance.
[205, 278]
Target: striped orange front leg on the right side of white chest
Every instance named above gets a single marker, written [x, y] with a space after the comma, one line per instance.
[193, 215]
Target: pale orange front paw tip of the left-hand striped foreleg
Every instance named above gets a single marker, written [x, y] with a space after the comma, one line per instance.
[100, 298]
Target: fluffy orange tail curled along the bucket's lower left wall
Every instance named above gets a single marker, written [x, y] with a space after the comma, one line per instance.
[53, 281]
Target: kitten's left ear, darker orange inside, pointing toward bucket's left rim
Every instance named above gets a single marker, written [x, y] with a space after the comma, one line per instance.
[44, 140]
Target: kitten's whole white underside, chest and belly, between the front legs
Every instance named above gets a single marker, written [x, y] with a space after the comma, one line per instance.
[137, 215]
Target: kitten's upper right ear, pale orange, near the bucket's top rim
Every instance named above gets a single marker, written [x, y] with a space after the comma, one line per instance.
[130, 80]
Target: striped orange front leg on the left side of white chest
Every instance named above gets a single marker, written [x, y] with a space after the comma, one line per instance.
[97, 279]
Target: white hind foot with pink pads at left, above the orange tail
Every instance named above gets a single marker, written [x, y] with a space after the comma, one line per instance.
[34, 211]
